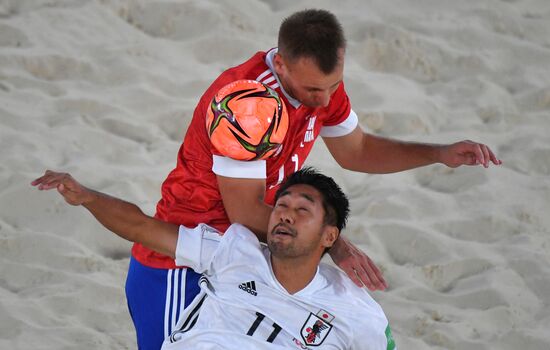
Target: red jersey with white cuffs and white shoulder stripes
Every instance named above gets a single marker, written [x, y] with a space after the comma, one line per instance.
[190, 194]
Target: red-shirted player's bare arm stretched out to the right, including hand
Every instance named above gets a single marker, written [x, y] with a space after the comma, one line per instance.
[360, 151]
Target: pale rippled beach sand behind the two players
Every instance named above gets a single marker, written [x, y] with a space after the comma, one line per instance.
[105, 90]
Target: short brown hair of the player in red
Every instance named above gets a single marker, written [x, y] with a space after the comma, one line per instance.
[315, 34]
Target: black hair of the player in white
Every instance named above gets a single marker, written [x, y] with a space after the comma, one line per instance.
[335, 202]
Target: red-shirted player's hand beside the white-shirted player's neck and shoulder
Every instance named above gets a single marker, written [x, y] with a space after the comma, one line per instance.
[357, 265]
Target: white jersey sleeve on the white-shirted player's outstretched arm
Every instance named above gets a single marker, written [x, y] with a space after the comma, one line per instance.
[196, 247]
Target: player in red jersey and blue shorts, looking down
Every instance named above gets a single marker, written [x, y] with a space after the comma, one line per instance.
[306, 70]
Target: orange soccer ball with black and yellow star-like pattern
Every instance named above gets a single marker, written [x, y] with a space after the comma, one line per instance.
[247, 120]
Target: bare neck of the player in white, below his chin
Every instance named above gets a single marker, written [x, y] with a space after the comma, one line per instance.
[294, 274]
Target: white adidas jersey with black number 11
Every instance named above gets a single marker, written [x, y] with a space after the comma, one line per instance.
[242, 305]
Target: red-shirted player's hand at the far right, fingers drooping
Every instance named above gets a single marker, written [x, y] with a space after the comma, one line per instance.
[467, 153]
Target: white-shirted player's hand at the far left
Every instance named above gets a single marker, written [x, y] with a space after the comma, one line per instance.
[73, 192]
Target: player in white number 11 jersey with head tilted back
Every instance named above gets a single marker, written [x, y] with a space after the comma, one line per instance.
[254, 296]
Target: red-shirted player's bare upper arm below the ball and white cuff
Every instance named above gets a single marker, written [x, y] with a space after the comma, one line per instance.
[243, 200]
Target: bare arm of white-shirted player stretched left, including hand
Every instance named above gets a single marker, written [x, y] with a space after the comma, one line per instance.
[121, 217]
